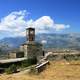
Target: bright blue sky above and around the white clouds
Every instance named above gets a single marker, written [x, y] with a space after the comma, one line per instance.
[64, 12]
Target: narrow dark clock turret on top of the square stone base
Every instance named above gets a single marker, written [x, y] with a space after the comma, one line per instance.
[30, 34]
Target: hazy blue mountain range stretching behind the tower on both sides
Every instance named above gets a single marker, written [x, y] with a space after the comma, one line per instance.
[71, 40]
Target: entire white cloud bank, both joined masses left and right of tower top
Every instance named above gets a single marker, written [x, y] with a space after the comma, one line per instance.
[15, 24]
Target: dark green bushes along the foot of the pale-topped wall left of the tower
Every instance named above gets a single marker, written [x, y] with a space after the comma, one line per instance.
[13, 67]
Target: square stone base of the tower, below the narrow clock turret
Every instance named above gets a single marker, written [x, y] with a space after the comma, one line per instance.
[33, 50]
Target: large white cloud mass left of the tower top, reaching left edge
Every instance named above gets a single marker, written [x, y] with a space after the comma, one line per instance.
[14, 24]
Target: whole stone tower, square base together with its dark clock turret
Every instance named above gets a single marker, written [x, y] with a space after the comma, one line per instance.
[31, 48]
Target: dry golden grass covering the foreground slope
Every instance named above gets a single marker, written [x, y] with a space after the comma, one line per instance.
[57, 70]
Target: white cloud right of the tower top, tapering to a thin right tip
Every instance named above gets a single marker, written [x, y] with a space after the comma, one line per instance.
[46, 25]
